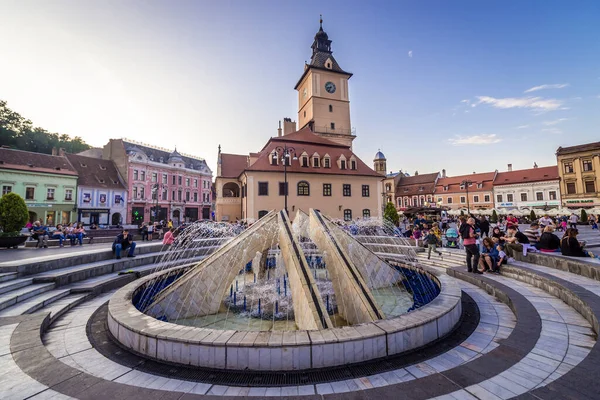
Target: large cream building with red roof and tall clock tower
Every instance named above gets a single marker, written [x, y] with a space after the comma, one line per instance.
[313, 167]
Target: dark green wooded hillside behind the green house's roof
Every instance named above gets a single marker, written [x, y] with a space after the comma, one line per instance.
[19, 133]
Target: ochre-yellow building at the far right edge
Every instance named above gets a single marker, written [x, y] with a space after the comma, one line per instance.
[579, 170]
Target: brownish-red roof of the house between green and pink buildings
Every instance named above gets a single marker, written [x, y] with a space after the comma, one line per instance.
[95, 172]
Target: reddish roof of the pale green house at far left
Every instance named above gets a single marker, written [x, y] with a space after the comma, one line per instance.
[29, 161]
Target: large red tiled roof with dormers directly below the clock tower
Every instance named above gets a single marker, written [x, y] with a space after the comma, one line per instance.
[306, 141]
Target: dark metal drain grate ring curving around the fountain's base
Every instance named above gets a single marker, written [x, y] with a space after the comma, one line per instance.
[102, 340]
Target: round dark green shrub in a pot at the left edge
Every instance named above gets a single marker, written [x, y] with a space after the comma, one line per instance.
[13, 217]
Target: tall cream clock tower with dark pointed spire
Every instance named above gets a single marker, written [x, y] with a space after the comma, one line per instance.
[323, 101]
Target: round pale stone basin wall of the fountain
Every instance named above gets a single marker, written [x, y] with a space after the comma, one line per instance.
[281, 350]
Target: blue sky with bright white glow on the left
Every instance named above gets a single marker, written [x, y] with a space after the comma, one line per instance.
[468, 86]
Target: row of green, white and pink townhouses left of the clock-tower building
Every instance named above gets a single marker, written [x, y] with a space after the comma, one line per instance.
[123, 183]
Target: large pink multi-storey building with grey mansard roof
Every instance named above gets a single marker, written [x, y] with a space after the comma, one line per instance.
[162, 184]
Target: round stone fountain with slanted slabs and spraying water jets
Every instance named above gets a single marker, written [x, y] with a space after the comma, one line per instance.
[283, 296]
